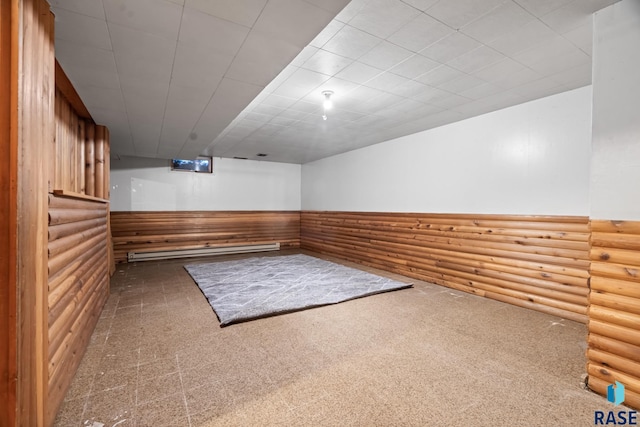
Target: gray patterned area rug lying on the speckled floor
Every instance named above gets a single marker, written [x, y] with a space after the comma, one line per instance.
[258, 287]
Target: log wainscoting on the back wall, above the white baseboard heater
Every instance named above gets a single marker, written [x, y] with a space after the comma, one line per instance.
[160, 231]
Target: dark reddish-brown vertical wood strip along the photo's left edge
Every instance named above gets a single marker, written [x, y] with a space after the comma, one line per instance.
[8, 179]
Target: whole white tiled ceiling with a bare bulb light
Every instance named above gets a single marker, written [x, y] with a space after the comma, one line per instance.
[238, 78]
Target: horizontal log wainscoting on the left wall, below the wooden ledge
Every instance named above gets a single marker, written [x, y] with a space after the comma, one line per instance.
[78, 286]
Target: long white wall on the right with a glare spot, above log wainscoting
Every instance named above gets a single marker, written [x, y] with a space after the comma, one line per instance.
[530, 159]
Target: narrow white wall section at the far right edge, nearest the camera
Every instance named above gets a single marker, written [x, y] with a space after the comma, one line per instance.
[615, 176]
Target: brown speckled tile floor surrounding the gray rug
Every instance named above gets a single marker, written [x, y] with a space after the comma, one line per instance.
[426, 356]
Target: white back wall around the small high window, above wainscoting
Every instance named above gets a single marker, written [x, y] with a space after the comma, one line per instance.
[141, 184]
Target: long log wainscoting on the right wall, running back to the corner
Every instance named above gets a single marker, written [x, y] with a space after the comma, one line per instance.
[538, 262]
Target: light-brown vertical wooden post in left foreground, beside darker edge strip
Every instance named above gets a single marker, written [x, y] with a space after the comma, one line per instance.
[35, 131]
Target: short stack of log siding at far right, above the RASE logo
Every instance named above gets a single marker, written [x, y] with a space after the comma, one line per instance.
[613, 353]
